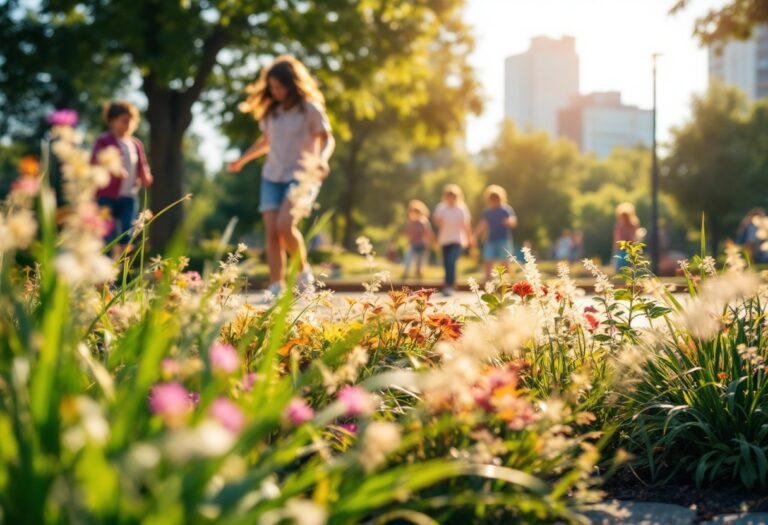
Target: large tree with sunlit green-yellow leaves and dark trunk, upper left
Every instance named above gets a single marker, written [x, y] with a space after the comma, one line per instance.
[77, 52]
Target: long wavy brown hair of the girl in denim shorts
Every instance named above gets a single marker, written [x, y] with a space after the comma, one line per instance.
[293, 75]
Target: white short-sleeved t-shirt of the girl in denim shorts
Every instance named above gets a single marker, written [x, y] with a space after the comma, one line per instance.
[291, 134]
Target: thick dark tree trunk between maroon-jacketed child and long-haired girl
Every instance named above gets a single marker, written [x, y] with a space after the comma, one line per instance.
[169, 117]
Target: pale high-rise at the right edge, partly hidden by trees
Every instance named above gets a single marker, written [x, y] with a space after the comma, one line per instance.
[743, 64]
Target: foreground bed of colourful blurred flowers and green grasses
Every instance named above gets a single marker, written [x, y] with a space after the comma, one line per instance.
[164, 399]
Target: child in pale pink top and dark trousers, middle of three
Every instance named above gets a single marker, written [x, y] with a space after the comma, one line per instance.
[454, 232]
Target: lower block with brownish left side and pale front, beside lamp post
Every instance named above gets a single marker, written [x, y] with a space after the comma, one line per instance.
[599, 122]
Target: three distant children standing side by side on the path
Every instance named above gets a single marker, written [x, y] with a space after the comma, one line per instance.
[454, 232]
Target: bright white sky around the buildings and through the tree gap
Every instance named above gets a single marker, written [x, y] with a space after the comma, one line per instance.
[614, 40]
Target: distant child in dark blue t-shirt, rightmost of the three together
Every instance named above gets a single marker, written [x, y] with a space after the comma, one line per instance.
[497, 221]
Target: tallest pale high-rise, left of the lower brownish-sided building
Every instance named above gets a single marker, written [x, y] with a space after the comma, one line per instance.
[540, 82]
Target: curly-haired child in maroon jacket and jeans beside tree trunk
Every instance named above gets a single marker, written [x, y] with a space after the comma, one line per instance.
[120, 196]
